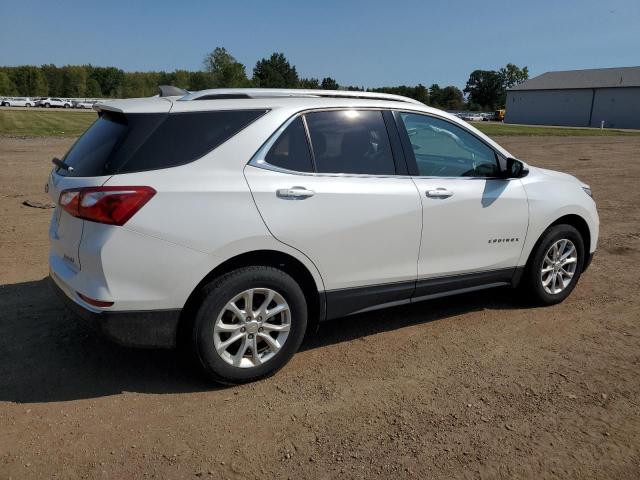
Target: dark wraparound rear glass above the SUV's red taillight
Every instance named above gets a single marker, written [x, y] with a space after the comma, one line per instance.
[118, 143]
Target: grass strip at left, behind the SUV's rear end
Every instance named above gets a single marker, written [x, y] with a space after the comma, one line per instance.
[45, 123]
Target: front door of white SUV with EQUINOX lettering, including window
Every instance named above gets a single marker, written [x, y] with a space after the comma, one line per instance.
[475, 220]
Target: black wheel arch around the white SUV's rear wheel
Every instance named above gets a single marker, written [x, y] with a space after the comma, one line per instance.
[271, 258]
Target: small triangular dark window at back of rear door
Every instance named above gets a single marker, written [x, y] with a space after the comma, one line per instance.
[291, 150]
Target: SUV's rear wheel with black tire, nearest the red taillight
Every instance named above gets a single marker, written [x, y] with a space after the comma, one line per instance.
[250, 323]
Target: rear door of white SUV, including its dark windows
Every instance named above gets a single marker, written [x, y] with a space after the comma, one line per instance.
[327, 184]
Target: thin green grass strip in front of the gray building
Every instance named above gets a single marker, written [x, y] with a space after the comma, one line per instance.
[501, 129]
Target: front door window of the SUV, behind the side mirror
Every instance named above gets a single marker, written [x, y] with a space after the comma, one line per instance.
[443, 149]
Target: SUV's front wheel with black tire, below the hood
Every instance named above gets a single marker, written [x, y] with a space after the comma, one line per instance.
[554, 267]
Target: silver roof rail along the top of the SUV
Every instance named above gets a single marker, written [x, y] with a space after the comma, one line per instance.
[235, 93]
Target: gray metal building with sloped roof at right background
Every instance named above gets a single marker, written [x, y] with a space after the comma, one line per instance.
[581, 98]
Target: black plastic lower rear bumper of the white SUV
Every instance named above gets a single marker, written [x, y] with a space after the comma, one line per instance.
[156, 328]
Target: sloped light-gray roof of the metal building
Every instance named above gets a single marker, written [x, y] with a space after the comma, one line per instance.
[592, 78]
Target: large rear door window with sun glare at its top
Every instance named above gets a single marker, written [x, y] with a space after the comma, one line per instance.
[350, 141]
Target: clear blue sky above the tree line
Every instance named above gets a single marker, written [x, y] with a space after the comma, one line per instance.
[367, 43]
